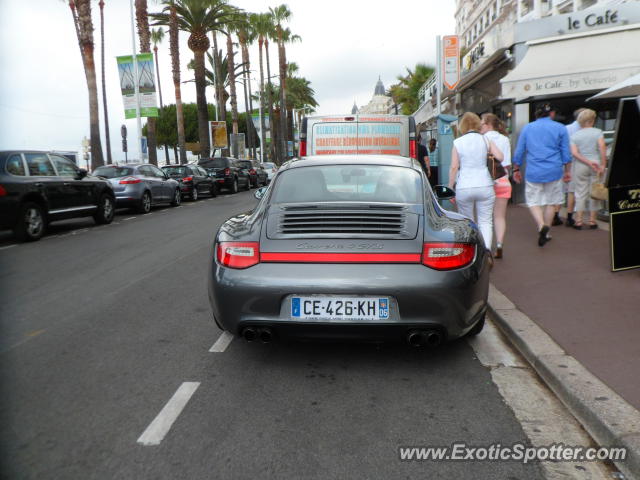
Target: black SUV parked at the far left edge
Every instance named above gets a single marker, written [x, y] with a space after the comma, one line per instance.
[37, 188]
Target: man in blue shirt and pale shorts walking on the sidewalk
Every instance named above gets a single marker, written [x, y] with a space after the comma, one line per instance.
[545, 143]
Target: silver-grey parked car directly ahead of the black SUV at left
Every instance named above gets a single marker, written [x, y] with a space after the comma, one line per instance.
[141, 186]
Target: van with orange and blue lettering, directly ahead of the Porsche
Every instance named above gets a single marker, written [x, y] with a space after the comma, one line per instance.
[362, 134]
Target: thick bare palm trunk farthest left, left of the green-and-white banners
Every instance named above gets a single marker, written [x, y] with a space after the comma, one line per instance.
[81, 12]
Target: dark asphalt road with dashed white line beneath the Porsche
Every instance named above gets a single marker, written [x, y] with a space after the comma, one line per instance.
[102, 326]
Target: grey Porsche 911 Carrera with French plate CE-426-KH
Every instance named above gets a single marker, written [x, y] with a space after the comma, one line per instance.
[353, 248]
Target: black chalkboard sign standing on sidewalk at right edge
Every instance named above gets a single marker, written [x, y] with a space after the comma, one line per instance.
[624, 188]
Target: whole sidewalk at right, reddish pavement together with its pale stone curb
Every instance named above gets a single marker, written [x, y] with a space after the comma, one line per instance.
[577, 323]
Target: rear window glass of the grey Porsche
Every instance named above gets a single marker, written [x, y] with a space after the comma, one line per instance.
[348, 183]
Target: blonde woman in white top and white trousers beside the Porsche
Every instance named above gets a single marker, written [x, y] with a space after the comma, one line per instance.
[474, 185]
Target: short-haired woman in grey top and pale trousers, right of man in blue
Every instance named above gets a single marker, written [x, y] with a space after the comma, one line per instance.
[590, 154]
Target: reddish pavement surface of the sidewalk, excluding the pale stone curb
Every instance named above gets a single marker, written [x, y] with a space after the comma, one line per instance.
[567, 288]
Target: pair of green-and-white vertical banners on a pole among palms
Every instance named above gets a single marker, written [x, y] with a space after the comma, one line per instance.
[146, 85]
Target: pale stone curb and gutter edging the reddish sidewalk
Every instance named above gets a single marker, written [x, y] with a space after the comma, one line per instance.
[608, 418]
